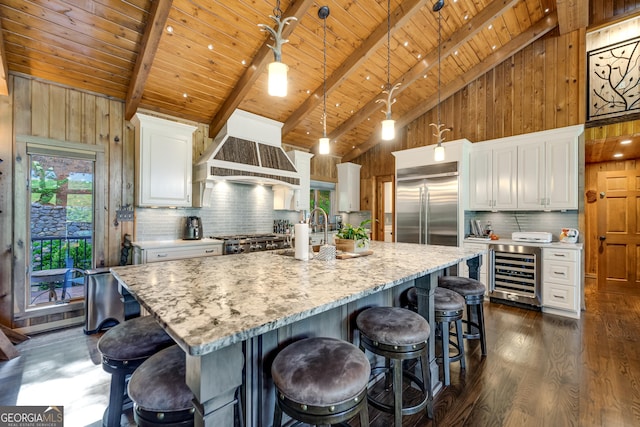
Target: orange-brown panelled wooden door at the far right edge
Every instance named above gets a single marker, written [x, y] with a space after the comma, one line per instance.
[619, 232]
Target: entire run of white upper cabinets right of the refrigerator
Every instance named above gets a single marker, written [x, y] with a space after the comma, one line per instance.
[536, 171]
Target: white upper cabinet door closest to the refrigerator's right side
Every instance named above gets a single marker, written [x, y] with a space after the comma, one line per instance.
[480, 180]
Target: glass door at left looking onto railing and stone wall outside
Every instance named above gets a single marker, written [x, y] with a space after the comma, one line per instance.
[61, 227]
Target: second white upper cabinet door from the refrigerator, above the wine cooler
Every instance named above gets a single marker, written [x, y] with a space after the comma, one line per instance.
[505, 169]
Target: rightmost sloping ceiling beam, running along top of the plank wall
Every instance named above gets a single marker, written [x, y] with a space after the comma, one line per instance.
[523, 40]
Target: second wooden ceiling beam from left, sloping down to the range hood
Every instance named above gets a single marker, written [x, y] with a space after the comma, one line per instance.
[259, 62]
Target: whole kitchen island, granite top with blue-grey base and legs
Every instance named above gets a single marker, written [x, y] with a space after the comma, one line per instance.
[231, 314]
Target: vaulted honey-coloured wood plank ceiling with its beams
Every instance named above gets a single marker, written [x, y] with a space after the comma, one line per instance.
[214, 59]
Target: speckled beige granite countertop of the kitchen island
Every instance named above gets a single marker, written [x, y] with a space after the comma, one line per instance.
[211, 302]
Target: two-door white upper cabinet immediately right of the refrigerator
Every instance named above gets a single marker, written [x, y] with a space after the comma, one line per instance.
[492, 177]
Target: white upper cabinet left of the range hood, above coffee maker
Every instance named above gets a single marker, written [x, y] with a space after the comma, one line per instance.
[163, 161]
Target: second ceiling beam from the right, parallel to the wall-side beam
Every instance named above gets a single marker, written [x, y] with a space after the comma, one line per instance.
[457, 39]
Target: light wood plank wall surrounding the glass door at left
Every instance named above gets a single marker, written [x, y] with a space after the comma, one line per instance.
[41, 109]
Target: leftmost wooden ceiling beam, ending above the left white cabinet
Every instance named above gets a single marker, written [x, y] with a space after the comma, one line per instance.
[150, 41]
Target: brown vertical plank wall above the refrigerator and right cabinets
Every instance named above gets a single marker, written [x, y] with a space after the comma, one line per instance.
[541, 87]
